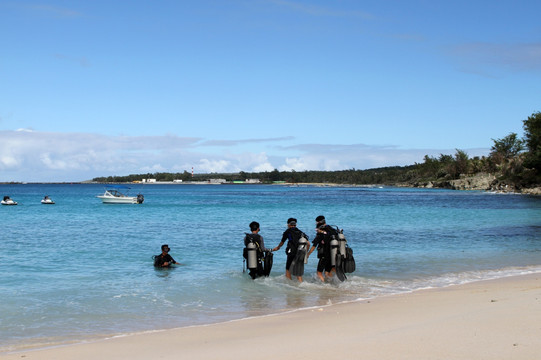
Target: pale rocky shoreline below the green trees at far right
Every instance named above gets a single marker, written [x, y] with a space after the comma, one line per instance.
[482, 181]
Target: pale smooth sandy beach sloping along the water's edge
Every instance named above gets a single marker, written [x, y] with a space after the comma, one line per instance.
[495, 319]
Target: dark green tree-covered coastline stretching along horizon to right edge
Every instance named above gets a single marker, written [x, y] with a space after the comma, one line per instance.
[513, 163]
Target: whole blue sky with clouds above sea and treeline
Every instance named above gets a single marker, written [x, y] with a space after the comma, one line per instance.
[99, 88]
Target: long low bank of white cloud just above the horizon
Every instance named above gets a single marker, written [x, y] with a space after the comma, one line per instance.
[48, 157]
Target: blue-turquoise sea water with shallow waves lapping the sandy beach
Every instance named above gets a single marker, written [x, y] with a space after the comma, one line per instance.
[81, 270]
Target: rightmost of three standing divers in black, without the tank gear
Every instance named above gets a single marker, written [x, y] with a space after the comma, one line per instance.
[322, 242]
